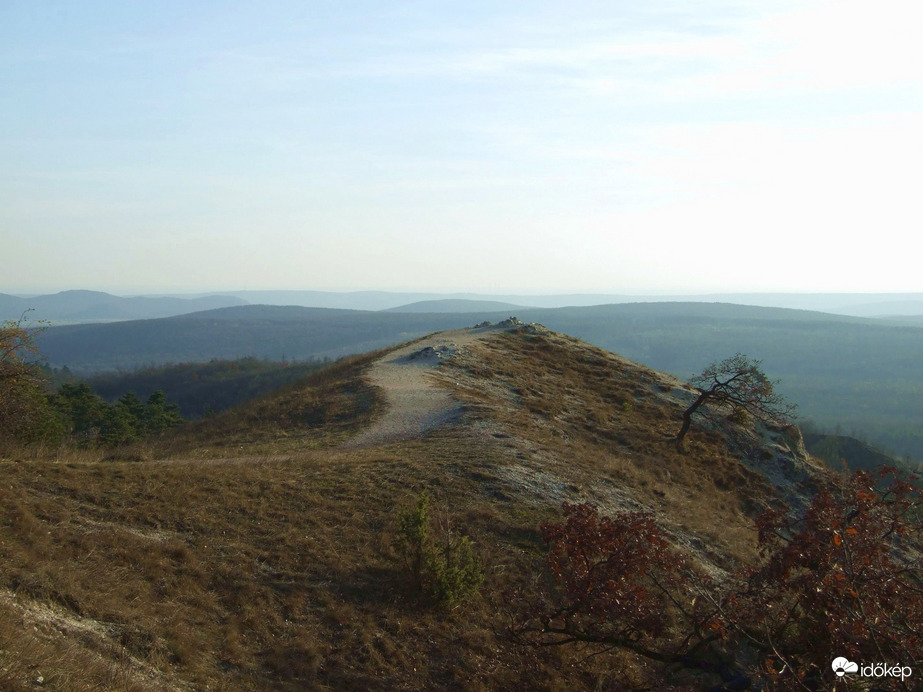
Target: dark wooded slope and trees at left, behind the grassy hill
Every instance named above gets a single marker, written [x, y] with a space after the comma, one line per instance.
[39, 405]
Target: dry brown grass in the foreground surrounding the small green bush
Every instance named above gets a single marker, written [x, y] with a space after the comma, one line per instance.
[255, 575]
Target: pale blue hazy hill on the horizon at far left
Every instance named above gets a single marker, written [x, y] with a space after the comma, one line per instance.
[94, 306]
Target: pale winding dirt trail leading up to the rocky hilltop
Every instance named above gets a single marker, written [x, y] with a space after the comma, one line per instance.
[416, 404]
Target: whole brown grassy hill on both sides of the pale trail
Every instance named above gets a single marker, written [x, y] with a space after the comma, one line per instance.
[279, 572]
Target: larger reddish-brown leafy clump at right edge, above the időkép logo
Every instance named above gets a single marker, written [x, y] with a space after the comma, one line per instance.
[844, 580]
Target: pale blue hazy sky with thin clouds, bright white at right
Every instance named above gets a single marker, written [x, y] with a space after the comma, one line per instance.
[608, 146]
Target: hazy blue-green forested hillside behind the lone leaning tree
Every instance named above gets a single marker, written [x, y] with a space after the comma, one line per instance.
[860, 375]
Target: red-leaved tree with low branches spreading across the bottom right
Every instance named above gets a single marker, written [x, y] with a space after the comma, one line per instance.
[843, 580]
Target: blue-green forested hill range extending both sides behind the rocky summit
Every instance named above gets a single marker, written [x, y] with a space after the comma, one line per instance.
[861, 376]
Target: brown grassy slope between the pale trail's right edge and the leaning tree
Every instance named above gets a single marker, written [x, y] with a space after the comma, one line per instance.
[584, 424]
